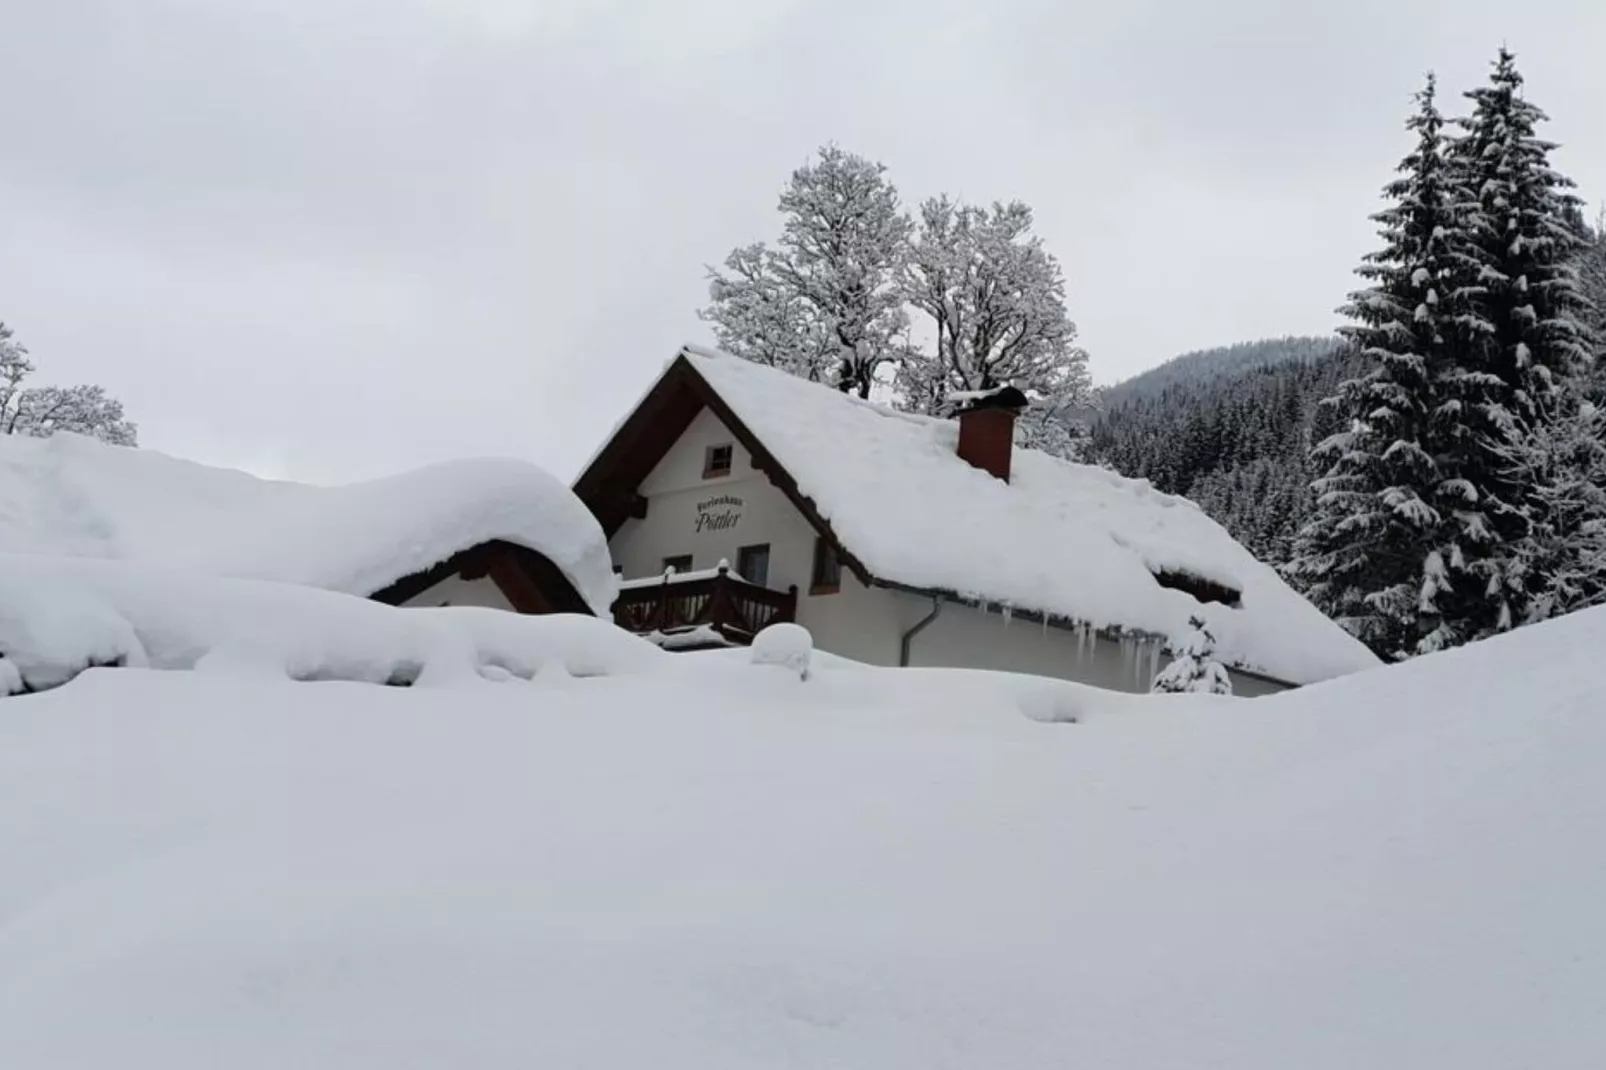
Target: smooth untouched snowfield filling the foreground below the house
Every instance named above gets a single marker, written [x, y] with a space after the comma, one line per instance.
[733, 868]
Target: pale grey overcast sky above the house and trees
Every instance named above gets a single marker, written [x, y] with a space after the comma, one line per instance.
[336, 239]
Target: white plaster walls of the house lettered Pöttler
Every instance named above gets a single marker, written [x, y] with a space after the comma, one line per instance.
[858, 623]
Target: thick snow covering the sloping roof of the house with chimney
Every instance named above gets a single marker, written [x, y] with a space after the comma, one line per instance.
[1070, 541]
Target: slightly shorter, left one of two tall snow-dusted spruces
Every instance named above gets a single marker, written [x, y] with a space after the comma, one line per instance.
[1368, 557]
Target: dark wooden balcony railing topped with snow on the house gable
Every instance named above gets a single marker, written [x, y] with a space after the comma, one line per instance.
[719, 600]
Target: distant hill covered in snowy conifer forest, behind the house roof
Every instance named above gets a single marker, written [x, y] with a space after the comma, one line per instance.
[1231, 430]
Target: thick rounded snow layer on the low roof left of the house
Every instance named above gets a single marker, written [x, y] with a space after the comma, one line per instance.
[78, 497]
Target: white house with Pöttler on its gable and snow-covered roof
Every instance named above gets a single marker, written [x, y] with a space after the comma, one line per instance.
[736, 496]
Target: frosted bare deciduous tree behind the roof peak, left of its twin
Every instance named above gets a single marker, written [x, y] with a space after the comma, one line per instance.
[825, 301]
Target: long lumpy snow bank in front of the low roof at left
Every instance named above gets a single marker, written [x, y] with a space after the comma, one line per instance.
[60, 616]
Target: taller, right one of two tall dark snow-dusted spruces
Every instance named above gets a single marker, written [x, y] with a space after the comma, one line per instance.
[1520, 340]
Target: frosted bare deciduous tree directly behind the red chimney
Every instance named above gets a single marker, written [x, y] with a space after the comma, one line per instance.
[997, 304]
